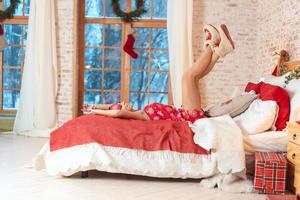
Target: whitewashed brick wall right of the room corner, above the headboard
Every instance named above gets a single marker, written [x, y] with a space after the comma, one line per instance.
[278, 25]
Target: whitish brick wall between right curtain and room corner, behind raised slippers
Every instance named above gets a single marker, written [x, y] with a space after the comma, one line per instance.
[237, 68]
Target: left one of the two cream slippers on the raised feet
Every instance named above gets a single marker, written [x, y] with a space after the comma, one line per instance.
[212, 36]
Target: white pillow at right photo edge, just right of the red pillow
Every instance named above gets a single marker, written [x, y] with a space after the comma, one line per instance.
[293, 89]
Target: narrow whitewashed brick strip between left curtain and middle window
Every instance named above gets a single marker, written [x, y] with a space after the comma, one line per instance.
[65, 63]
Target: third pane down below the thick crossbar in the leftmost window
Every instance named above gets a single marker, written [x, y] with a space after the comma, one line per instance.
[11, 78]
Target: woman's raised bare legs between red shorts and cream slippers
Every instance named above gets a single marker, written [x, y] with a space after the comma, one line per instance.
[191, 98]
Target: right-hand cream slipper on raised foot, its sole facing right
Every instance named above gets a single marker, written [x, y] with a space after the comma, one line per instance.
[226, 45]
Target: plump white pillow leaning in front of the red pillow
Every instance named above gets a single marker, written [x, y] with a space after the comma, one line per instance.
[259, 117]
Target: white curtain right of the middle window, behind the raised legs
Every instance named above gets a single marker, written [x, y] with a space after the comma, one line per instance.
[180, 16]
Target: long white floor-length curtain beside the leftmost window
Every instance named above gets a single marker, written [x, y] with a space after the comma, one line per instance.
[36, 114]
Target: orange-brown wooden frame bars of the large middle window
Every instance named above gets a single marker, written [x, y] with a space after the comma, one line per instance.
[125, 58]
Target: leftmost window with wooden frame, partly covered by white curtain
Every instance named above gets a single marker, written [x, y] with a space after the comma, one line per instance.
[12, 57]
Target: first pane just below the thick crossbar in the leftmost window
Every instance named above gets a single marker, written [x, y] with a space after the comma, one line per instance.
[13, 34]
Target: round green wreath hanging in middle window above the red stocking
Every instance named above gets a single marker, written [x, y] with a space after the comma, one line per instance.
[129, 16]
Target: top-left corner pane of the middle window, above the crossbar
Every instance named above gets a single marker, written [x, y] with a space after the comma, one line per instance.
[94, 8]
